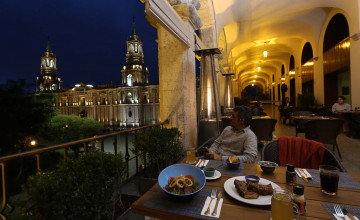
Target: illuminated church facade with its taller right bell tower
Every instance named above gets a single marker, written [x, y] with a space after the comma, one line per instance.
[133, 103]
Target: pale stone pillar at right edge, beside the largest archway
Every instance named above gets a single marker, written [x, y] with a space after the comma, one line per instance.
[355, 70]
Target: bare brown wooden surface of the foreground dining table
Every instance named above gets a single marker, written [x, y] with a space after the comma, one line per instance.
[235, 209]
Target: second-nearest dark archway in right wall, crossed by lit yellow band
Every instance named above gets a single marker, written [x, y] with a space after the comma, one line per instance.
[307, 70]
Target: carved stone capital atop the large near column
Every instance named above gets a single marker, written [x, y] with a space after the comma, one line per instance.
[187, 9]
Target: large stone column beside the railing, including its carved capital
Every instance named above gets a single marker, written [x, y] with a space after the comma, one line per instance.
[177, 89]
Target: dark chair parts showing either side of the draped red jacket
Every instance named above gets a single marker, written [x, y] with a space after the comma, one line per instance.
[271, 153]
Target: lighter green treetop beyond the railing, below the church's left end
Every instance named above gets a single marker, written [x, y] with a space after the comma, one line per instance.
[65, 128]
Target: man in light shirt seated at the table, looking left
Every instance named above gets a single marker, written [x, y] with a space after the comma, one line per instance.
[236, 139]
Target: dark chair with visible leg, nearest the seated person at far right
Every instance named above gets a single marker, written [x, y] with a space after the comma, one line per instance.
[325, 131]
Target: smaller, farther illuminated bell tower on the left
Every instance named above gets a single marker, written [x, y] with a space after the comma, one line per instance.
[48, 81]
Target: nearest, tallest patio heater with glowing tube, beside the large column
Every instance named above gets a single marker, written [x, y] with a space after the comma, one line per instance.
[209, 120]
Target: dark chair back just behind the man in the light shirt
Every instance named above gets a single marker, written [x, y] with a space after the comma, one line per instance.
[263, 128]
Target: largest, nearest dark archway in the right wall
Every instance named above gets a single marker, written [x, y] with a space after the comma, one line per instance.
[336, 70]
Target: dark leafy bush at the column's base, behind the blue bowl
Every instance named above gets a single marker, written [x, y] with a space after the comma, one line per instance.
[161, 146]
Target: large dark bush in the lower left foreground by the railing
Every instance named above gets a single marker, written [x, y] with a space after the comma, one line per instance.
[83, 188]
